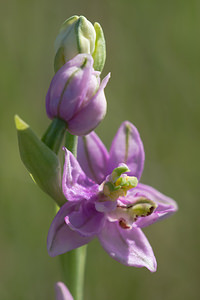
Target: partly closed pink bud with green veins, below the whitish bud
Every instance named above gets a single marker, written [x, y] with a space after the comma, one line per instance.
[76, 95]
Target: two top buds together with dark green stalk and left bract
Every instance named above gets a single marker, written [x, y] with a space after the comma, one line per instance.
[75, 101]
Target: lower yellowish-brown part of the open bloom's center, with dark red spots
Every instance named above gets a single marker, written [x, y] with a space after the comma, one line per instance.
[128, 214]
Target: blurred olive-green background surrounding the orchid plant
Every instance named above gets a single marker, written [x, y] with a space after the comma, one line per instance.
[153, 53]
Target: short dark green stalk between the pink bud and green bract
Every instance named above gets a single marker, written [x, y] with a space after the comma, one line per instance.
[53, 137]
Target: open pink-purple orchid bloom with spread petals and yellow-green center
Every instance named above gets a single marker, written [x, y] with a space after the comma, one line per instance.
[106, 200]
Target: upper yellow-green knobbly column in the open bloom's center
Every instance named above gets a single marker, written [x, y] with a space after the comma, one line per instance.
[117, 184]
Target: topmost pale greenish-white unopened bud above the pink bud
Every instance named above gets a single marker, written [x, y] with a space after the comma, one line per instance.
[78, 35]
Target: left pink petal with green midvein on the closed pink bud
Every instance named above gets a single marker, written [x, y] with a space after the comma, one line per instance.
[68, 87]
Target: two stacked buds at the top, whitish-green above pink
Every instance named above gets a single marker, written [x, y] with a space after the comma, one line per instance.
[75, 94]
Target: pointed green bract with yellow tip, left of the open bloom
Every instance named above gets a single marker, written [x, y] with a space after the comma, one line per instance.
[41, 162]
